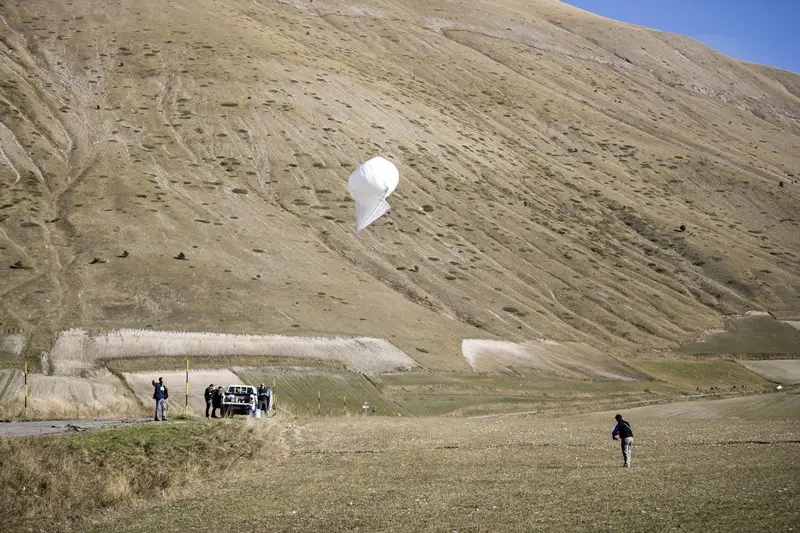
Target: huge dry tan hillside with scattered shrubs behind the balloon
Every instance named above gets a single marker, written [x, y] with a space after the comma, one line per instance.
[563, 176]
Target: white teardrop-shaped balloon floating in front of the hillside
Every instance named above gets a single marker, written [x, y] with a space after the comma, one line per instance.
[369, 185]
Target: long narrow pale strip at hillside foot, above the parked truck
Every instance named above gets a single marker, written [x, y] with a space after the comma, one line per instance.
[76, 350]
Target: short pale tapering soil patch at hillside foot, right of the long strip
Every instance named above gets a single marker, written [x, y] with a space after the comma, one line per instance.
[568, 359]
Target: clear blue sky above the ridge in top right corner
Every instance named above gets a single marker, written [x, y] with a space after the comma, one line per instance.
[764, 31]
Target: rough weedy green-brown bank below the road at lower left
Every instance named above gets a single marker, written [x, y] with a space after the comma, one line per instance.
[53, 483]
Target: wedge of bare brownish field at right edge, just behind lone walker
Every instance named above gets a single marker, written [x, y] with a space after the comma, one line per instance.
[766, 406]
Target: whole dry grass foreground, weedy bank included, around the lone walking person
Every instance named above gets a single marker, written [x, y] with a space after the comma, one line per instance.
[712, 467]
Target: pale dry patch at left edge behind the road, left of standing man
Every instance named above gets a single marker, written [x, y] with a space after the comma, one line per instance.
[99, 395]
